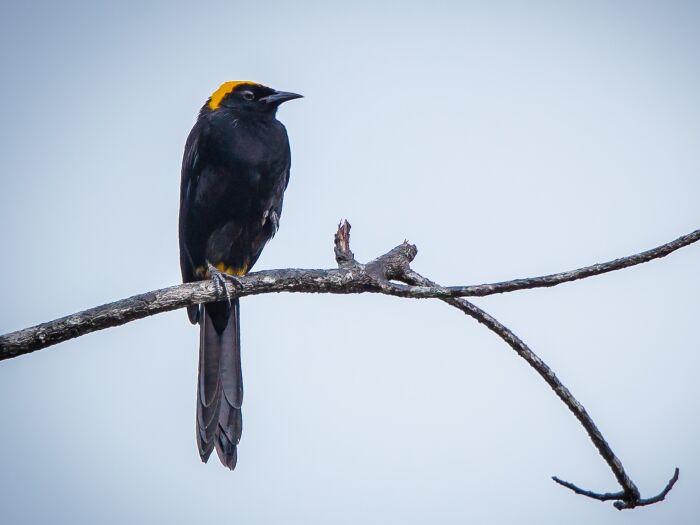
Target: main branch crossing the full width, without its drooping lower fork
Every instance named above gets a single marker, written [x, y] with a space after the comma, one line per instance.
[350, 278]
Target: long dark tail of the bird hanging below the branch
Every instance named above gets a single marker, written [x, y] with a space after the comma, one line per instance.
[220, 383]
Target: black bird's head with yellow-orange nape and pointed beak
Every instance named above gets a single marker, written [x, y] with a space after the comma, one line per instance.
[247, 97]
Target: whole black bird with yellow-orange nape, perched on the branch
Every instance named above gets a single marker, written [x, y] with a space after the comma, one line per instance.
[235, 169]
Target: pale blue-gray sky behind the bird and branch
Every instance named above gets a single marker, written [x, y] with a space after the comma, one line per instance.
[504, 140]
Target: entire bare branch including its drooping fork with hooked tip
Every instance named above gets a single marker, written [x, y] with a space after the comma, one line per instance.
[378, 276]
